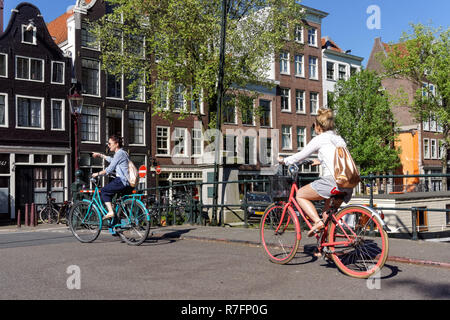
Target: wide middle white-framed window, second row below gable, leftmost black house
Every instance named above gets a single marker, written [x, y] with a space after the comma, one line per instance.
[30, 112]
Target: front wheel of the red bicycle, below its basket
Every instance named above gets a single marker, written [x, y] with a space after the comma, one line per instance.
[279, 235]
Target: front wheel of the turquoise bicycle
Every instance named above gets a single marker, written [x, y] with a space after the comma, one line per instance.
[85, 221]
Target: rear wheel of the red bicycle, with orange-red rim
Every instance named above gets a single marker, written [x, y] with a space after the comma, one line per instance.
[366, 251]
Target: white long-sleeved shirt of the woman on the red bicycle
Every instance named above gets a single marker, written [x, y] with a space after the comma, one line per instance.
[325, 144]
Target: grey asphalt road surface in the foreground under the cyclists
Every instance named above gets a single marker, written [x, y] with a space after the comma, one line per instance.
[53, 265]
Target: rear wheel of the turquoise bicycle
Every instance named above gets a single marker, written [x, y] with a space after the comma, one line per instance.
[135, 222]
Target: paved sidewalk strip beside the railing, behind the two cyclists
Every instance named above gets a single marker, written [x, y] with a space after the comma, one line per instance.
[400, 250]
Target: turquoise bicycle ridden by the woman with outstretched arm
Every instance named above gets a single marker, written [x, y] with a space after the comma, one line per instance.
[131, 223]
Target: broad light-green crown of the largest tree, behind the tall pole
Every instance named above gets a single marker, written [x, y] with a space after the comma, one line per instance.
[182, 39]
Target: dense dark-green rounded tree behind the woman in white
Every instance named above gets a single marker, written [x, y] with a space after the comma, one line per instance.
[365, 120]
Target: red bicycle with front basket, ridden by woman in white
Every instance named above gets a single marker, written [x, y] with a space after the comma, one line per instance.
[354, 237]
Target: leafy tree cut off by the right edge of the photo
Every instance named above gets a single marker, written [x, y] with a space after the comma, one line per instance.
[423, 57]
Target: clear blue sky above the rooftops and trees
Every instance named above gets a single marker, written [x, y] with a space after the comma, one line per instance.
[348, 22]
